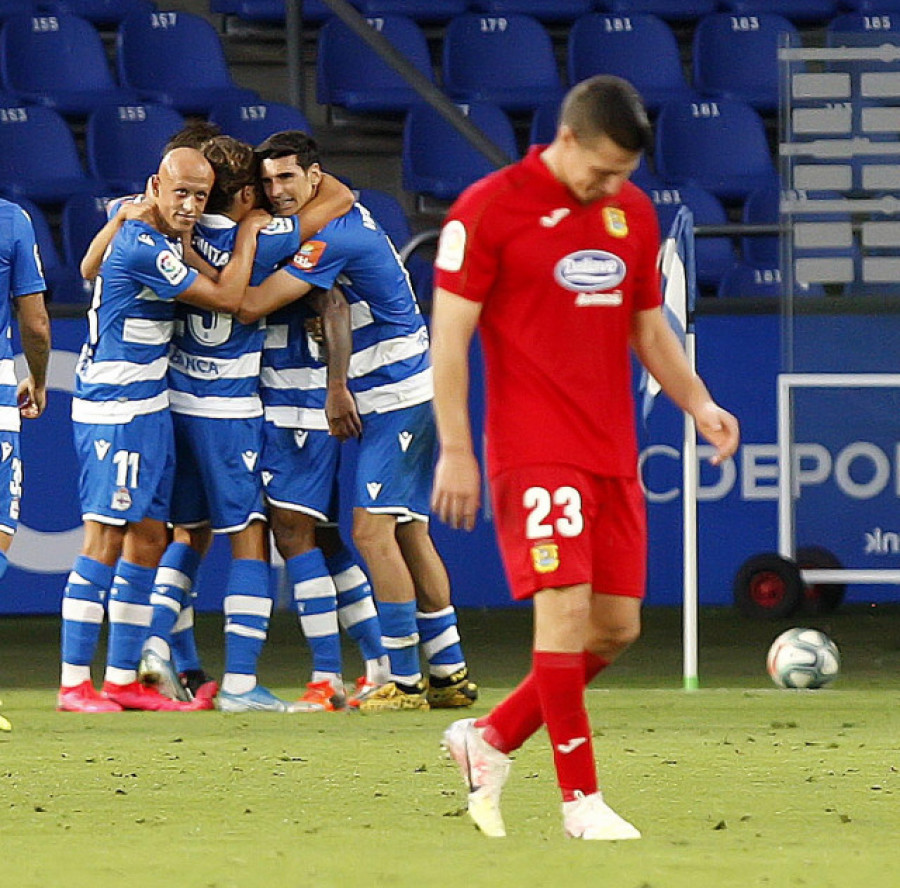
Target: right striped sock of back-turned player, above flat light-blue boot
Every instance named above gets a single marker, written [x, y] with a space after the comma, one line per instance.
[248, 607]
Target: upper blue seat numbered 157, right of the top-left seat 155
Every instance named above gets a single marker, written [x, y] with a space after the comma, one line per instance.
[177, 59]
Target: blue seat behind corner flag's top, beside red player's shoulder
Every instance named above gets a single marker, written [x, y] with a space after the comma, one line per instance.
[713, 255]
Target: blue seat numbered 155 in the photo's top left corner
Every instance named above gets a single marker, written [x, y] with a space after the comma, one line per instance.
[58, 61]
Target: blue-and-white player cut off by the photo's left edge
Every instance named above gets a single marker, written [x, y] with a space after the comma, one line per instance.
[22, 285]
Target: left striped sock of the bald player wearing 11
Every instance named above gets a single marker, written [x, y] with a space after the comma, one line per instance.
[82, 613]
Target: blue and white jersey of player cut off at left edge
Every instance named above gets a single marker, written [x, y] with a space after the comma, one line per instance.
[20, 275]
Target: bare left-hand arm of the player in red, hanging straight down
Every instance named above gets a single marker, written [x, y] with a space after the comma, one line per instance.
[457, 480]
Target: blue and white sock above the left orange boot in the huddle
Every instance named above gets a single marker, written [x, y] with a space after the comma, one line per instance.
[316, 601]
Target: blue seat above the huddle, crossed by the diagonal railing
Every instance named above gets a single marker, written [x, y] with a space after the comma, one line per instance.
[351, 75]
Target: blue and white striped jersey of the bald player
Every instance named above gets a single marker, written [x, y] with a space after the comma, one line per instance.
[121, 372]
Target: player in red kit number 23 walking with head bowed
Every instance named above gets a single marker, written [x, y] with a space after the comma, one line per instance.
[553, 259]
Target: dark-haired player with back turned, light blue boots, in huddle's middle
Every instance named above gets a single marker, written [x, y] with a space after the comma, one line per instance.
[214, 367]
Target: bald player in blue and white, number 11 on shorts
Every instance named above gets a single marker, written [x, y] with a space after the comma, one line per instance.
[123, 431]
